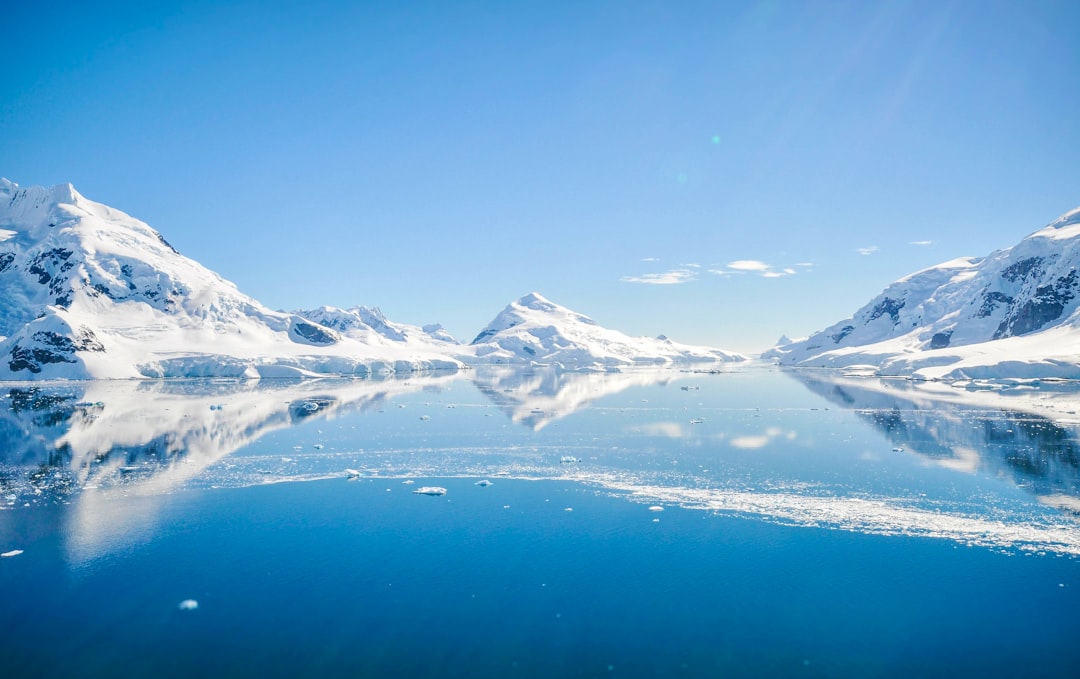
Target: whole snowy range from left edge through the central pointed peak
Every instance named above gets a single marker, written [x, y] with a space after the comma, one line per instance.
[90, 292]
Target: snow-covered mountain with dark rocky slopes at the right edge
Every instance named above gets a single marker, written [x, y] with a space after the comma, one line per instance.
[1014, 314]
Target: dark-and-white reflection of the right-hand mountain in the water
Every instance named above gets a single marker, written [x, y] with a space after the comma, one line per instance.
[1031, 437]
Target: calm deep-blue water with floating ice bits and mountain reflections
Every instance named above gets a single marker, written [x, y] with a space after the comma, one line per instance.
[752, 523]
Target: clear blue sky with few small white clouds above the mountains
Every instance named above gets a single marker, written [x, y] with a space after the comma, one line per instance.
[442, 159]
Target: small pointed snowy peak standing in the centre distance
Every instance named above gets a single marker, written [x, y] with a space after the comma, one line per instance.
[536, 331]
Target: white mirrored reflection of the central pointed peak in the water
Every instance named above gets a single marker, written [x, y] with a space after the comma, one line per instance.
[536, 398]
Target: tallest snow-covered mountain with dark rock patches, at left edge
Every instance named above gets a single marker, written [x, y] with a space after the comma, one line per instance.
[90, 292]
